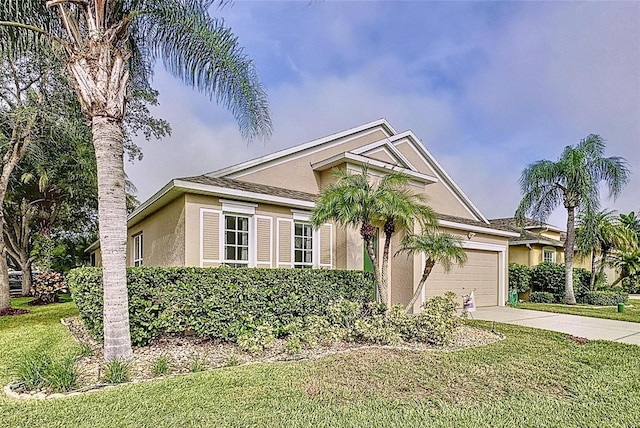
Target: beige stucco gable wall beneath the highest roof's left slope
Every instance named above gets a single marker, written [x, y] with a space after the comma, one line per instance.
[297, 174]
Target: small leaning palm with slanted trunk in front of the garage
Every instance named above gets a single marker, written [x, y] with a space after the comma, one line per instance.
[438, 247]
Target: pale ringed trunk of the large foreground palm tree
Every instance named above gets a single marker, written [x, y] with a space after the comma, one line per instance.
[112, 216]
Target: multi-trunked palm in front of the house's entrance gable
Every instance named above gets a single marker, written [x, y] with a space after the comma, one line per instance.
[354, 201]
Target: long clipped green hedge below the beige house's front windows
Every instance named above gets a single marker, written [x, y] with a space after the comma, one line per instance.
[216, 303]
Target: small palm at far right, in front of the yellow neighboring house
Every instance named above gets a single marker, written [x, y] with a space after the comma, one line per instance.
[597, 235]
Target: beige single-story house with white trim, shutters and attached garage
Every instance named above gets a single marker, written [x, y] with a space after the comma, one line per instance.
[256, 213]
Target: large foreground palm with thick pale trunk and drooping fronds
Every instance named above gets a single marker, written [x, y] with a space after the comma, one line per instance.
[110, 48]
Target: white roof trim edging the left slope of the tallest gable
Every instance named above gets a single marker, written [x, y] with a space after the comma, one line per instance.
[268, 160]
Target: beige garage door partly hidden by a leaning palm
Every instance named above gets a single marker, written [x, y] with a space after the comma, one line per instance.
[480, 273]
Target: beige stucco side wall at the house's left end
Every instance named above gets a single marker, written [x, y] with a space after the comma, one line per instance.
[163, 236]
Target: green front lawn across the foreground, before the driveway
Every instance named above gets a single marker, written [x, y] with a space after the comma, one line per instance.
[533, 378]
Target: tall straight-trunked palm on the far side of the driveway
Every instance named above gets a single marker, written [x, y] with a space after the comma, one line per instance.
[573, 181]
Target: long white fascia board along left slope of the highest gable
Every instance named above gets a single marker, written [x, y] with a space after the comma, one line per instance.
[234, 169]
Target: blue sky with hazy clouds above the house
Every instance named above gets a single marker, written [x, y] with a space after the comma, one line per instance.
[488, 87]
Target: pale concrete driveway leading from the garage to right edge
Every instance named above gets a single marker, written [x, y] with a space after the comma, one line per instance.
[591, 328]
